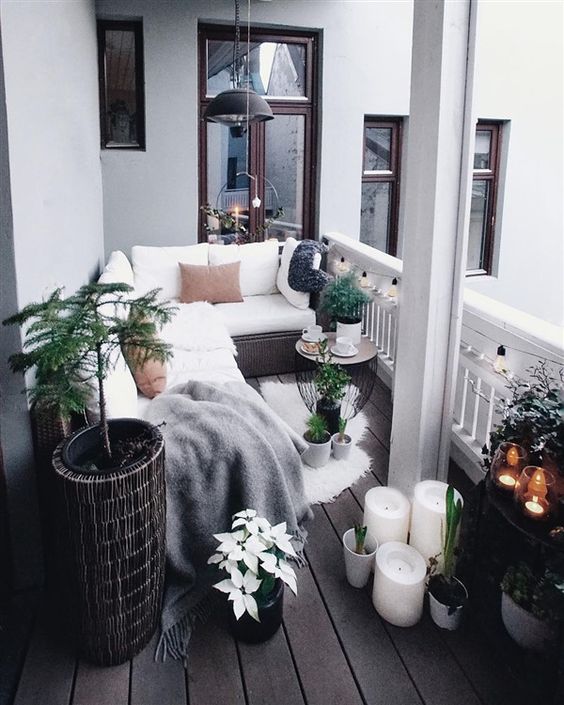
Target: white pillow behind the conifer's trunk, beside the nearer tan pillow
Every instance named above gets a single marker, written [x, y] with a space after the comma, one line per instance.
[120, 391]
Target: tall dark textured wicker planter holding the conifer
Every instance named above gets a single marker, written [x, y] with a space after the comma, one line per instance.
[114, 547]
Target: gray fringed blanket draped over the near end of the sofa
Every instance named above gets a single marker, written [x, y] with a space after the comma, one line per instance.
[225, 450]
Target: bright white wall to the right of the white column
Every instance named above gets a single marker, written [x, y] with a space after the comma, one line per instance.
[519, 77]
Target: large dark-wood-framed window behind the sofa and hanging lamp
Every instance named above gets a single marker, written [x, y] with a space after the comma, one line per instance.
[292, 132]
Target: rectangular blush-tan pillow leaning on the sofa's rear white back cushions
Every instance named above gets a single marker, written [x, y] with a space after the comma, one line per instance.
[216, 284]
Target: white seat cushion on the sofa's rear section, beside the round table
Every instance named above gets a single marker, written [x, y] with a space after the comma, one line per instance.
[264, 314]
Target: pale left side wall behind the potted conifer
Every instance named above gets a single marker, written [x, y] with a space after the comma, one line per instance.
[51, 198]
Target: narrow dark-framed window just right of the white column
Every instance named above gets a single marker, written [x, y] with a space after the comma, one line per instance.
[484, 198]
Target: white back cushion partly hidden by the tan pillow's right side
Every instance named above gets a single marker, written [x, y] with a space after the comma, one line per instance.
[259, 265]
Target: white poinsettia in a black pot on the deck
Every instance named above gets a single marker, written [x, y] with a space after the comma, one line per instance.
[254, 555]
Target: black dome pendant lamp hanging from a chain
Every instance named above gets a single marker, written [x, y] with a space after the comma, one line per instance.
[238, 107]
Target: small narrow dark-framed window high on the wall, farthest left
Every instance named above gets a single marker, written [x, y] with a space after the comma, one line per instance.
[121, 84]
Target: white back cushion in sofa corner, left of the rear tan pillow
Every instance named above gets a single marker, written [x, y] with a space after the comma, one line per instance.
[157, 267]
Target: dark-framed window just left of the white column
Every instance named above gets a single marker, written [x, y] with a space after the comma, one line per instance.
[380, 183]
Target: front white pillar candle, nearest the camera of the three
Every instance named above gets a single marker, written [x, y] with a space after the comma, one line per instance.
[399, 584]
